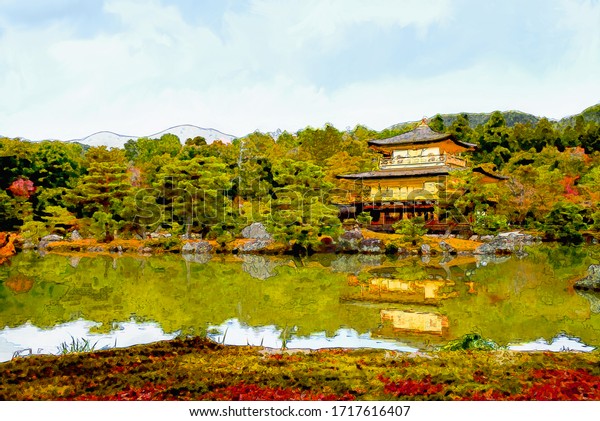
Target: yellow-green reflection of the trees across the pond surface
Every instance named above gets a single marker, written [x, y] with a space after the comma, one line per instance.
[309, 294]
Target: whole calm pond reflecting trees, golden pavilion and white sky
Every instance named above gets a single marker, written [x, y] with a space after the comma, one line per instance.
[329, 300]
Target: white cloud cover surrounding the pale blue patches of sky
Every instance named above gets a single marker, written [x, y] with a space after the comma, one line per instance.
[156, 69]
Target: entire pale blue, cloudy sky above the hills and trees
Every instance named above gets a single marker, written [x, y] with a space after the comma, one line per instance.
[70, 68]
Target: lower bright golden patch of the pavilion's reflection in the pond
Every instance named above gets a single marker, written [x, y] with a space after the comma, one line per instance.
[410, 321]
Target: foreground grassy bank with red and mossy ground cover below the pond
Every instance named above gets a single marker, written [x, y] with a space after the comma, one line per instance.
[197, 369]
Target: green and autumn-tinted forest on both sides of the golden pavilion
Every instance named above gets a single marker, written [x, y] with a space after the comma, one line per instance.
[190, 188]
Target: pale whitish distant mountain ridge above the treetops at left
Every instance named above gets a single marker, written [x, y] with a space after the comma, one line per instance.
[183, 132]
